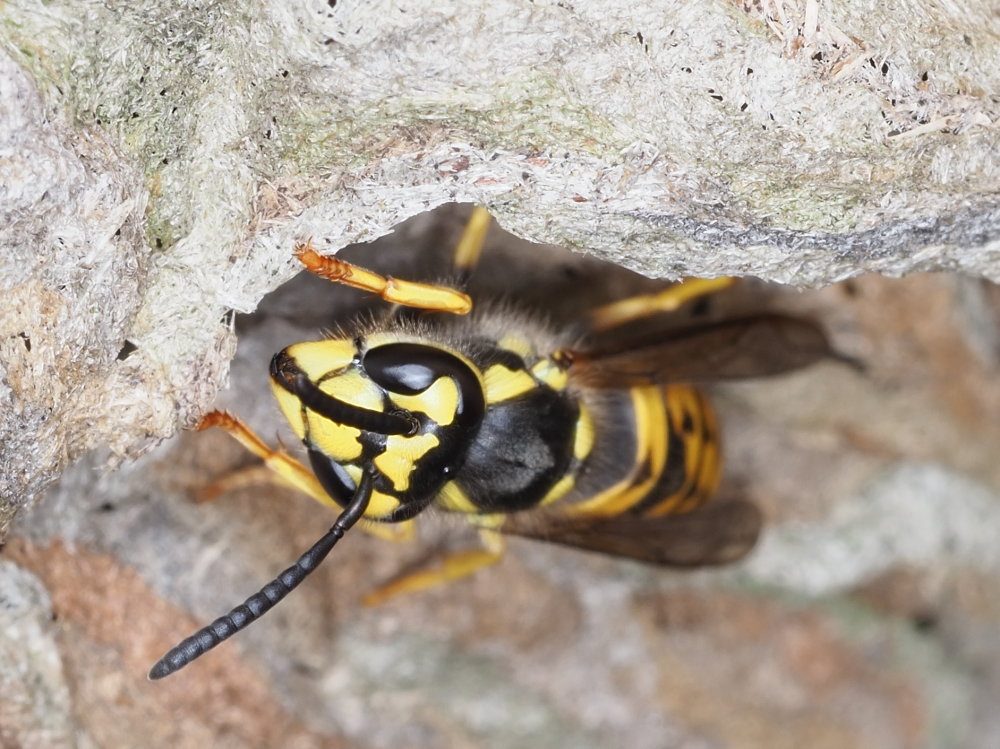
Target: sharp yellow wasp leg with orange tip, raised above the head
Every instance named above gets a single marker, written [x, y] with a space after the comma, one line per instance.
[408, 293]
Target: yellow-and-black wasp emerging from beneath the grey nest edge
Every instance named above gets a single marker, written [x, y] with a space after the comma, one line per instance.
[595, 436]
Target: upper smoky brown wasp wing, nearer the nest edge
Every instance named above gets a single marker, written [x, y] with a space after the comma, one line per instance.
[753, 346]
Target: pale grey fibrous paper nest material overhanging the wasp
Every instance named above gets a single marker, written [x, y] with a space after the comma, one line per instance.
[158, 163]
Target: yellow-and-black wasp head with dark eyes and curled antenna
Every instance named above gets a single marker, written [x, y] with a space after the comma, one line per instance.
[409, 408]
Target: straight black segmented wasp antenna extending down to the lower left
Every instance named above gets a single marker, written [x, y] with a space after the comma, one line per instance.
[264, 600]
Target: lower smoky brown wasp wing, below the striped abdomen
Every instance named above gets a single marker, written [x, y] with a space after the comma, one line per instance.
[720, 533]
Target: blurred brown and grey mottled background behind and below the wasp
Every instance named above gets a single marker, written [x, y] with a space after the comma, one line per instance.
[867, 617]
